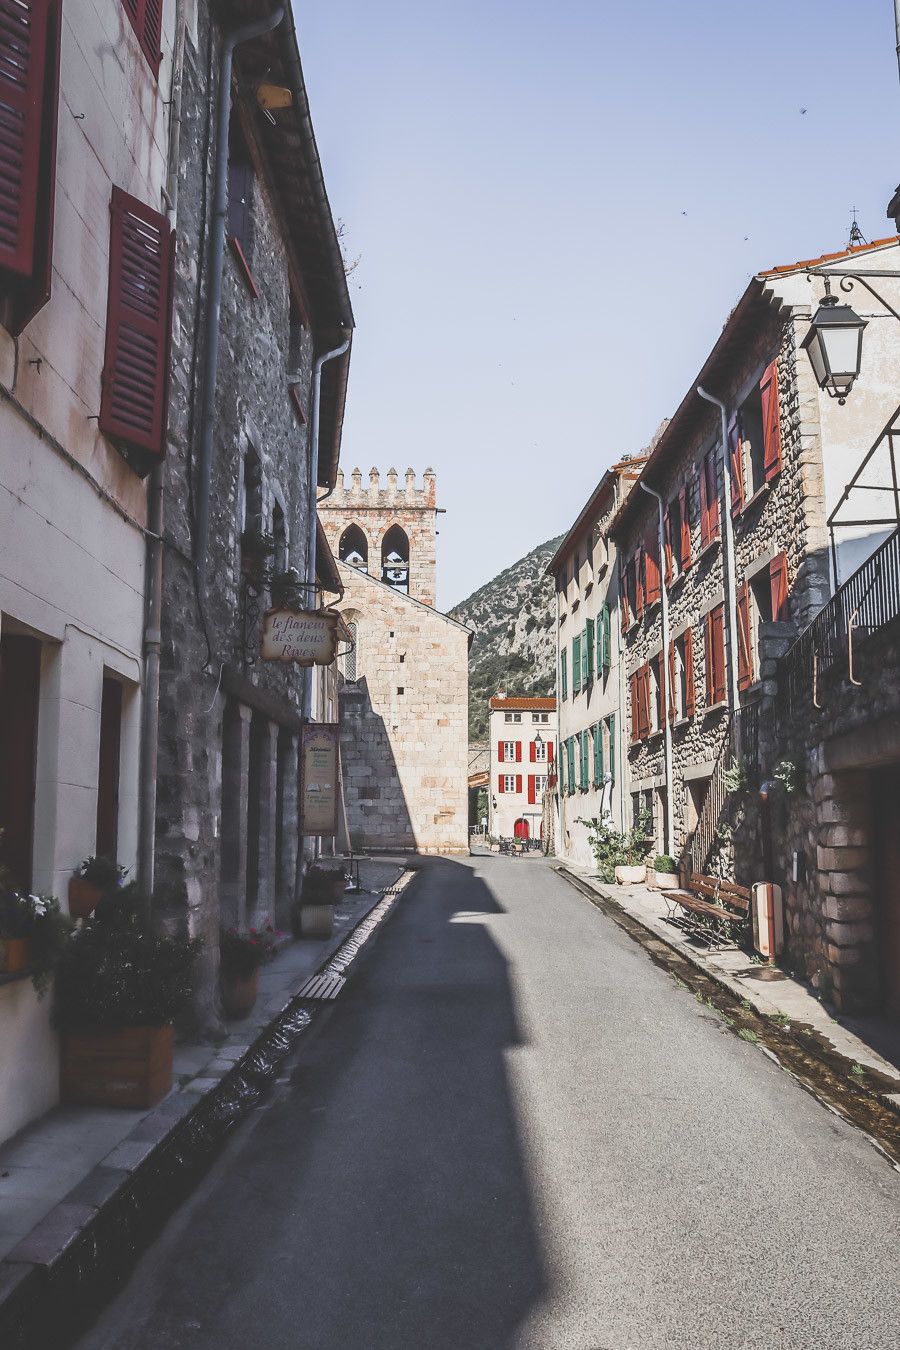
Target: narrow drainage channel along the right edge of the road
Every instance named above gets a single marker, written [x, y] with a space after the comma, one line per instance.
[851, 1091]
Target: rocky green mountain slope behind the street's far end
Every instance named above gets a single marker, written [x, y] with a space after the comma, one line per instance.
[513, 618]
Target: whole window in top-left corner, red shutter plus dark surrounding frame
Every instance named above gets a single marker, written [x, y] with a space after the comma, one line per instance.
[29, 94]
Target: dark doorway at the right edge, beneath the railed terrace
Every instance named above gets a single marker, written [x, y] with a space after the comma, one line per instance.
[886, 836]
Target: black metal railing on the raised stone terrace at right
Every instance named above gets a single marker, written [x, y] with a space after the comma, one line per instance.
[866, 603]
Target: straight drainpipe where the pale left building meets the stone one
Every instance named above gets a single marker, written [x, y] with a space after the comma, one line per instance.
[153, 583]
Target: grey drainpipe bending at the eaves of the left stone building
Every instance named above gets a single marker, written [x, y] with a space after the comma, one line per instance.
[217, 256]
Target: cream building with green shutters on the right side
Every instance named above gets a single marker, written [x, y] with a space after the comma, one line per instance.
[592, 784]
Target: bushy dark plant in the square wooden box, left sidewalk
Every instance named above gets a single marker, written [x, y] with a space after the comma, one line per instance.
[119, 988]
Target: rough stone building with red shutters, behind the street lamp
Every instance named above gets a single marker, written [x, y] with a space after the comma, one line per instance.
[746, 553]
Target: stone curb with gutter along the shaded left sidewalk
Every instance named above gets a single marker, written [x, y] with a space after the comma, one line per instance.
[60, 1274]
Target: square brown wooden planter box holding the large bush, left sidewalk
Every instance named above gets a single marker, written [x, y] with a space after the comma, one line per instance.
[132, 1067]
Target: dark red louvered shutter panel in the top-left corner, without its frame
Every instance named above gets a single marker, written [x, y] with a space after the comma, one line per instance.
[24, 51]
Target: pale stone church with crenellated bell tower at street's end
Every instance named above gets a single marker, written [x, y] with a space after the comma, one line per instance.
[404, 699]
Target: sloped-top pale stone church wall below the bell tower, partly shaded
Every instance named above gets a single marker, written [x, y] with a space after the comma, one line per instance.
[404, 723]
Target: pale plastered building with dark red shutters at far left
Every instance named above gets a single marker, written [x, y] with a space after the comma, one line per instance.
[84, 218]
